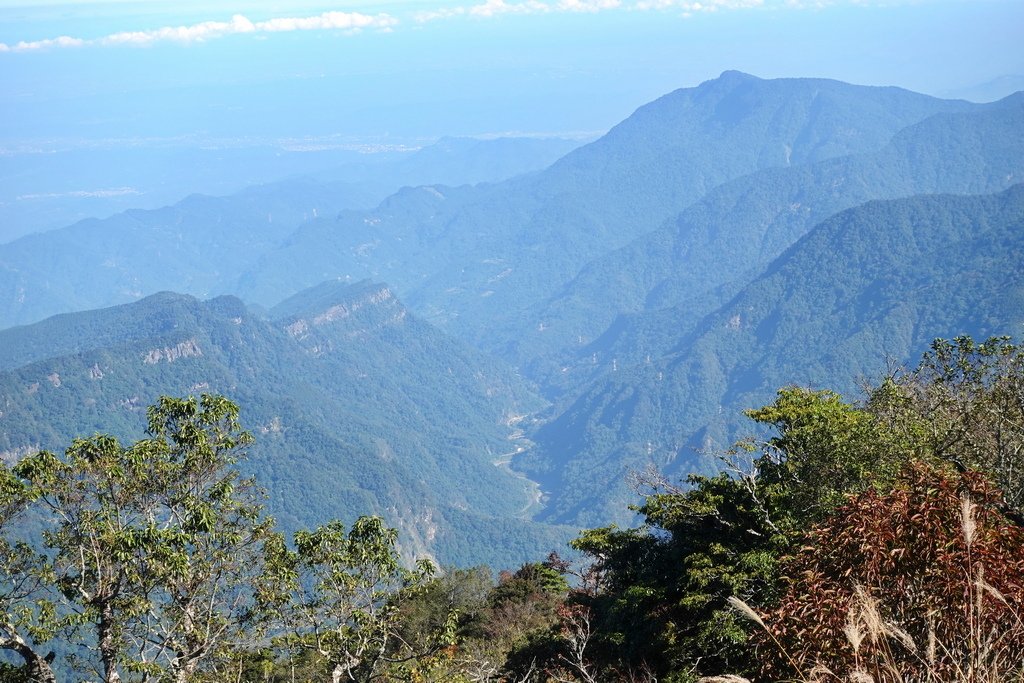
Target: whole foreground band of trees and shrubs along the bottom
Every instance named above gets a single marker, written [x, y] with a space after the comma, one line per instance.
[881, 539]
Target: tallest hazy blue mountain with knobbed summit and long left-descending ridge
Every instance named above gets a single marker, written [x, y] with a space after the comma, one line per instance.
[476, 261]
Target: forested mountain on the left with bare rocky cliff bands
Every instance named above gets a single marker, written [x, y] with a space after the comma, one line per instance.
[358, 408]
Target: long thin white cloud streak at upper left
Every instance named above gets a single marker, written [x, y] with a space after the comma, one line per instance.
[351, 22]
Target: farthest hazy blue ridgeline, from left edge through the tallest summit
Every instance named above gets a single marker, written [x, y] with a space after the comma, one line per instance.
[458, 254]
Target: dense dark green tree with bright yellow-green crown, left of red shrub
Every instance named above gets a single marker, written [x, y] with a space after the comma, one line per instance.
[664, 589]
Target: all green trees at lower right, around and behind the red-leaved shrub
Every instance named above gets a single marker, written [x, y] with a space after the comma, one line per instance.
[663, 591]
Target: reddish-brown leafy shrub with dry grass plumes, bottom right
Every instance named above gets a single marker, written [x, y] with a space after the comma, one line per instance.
[923, 583]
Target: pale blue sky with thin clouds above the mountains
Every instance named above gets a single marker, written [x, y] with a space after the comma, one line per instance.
[379, 70]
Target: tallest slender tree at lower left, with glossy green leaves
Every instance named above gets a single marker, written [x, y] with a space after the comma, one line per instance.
[214, 538]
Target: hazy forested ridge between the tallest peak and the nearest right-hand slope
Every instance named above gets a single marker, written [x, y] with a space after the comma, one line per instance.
[696, 262]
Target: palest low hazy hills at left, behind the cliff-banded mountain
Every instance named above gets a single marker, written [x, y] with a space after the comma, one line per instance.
[202, 244]
